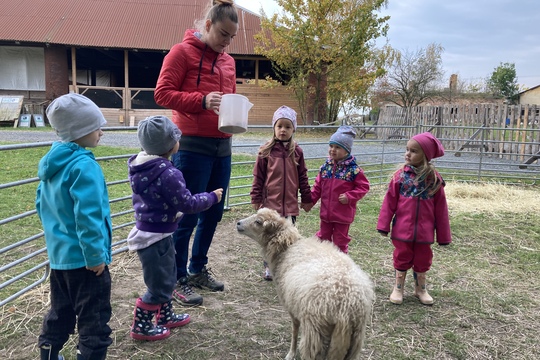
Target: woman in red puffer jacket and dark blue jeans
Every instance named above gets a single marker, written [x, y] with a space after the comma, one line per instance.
[194, 76]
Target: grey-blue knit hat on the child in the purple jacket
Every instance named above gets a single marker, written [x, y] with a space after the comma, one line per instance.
[158, 134]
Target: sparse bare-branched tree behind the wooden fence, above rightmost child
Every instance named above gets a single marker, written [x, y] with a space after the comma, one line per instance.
[412, 77]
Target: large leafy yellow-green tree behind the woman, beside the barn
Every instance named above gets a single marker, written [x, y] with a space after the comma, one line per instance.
[324, 51]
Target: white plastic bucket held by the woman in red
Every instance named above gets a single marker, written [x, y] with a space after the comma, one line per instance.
[233, 113]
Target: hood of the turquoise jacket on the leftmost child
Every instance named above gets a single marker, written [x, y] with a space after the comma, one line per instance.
[60, 154]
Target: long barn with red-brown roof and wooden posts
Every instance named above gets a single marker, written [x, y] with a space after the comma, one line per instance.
[112, 51]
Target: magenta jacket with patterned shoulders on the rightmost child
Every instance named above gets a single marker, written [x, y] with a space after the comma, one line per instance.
[414, 218]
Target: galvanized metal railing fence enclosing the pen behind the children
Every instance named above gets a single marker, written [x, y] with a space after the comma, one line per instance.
[378, 155]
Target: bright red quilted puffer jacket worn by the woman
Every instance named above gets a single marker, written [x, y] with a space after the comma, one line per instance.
[184, 81]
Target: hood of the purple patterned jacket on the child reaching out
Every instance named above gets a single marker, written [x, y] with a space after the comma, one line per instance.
[144, 169]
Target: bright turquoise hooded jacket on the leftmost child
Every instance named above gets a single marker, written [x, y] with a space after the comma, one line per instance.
[72, 203]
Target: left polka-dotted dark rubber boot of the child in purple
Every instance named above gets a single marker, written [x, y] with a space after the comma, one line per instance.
[143, 328]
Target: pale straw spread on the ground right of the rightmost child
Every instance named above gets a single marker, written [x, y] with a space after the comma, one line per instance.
[491, 198]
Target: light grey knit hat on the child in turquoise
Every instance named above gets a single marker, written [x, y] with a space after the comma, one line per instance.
[74, 116]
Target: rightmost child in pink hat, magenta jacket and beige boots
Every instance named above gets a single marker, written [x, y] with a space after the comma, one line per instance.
[415, 205]
